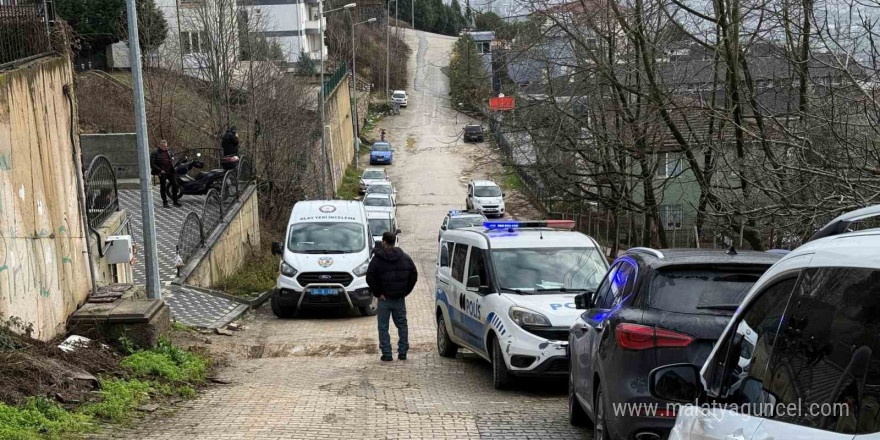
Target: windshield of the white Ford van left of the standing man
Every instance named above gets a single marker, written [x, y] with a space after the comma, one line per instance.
[326, 238]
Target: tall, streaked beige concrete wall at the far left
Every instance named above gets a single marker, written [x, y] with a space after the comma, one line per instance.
[44, 272]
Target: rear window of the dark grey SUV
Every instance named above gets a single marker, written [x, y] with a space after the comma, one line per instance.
[701, 291]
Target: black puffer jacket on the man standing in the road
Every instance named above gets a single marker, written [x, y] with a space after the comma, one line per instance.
[391, 273]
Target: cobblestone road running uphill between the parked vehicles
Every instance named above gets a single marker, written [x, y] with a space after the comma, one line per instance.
[318, 376]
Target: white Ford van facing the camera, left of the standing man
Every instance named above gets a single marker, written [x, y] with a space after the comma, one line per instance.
[324, 258]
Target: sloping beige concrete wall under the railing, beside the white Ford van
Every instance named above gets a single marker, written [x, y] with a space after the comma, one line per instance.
[229, 250]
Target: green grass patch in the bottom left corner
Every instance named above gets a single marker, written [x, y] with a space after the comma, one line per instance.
[40, 418]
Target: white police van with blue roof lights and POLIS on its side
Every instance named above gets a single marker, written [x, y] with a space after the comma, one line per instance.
[506, 291]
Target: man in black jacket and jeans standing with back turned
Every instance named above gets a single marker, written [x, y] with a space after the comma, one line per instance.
[391, 277]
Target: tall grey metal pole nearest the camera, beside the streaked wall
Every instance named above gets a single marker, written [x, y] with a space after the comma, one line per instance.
[151, 261]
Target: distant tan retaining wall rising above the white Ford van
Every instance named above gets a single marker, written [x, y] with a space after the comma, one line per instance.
[340, 135]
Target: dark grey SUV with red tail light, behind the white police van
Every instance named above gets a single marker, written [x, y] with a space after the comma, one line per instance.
[654, 307]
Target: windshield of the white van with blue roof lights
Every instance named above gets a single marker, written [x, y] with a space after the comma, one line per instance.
[548, 270]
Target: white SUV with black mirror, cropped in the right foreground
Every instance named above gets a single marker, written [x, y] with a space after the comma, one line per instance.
[797, 359]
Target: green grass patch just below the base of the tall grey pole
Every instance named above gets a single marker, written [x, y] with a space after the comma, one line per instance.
[167, 362]
